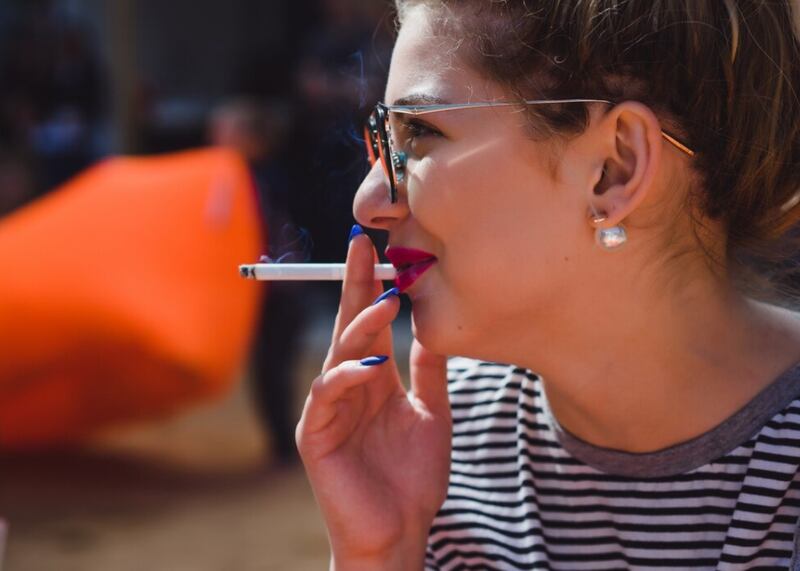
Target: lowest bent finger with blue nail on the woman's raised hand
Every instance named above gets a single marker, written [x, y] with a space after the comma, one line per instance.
[329, 389]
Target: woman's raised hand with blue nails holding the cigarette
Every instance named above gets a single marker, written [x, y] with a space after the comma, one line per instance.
[378, 458]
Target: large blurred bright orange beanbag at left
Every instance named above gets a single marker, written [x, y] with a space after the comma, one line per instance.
[120, 297]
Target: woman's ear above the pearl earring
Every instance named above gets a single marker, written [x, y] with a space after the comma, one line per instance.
[629, 138]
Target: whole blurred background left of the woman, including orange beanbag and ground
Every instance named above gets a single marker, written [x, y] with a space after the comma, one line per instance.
[147, 414]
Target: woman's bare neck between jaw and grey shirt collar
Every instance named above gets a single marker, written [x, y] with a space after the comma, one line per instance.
[640, 373]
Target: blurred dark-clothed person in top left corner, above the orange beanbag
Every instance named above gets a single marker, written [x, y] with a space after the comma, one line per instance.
[53, 93]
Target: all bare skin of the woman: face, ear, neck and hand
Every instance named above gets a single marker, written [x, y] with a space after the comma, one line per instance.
[639, 349]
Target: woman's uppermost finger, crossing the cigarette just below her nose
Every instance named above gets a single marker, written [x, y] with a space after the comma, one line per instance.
[359, 288]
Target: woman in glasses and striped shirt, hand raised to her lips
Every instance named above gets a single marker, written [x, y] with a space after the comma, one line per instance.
[599, 243]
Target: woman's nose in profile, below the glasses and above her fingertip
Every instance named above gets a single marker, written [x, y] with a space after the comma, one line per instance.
[372, 207]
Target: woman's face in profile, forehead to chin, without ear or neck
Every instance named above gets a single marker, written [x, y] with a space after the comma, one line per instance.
[507, 224]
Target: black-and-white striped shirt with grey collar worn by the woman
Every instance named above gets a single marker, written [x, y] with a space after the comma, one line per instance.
[526, 494]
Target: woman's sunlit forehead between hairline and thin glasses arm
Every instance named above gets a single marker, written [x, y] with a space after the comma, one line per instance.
[429, 64]
